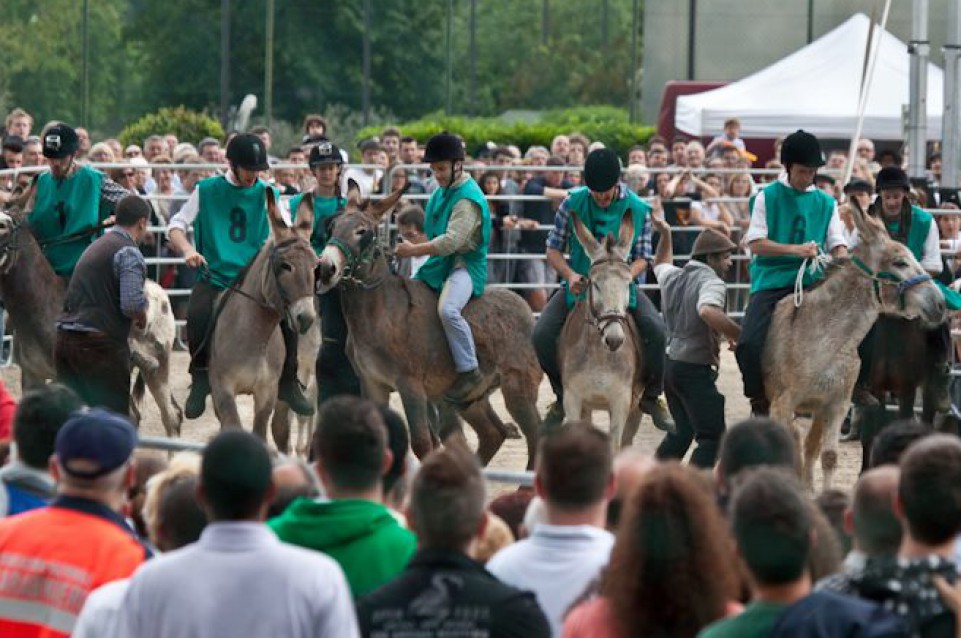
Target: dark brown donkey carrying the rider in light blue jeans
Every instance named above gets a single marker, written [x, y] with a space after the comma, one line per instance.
[396, 341]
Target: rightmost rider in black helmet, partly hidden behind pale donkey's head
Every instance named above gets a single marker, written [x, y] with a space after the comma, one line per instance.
[915, 229]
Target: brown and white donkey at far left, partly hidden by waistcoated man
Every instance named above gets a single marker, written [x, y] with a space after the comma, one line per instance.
[33, 295]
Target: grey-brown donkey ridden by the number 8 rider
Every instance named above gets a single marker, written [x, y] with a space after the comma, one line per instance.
[247, 349]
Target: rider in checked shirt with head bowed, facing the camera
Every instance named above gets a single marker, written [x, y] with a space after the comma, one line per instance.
[600, 205]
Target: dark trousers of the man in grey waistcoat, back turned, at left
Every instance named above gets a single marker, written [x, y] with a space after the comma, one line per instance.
[96, 367]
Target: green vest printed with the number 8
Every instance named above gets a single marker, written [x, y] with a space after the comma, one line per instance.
[231, 226]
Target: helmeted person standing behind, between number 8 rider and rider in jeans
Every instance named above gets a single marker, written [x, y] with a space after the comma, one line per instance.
[335, 375]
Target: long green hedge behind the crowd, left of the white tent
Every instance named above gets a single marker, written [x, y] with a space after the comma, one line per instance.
[604, 123]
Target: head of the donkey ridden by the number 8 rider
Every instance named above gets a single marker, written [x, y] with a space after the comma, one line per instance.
[291, 266]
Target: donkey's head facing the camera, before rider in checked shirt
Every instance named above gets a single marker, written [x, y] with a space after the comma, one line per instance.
[608, 291]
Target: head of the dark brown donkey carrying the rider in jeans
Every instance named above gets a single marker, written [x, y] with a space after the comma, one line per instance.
[352, 238]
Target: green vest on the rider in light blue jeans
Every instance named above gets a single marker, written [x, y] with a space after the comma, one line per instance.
[437, 268]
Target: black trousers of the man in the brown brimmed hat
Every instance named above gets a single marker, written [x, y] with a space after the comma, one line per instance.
[698, 411]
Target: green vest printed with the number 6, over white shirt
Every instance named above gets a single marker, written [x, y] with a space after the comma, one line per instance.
[793, 217]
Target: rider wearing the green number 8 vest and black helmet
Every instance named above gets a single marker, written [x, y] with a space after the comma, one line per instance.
[229, 215]
